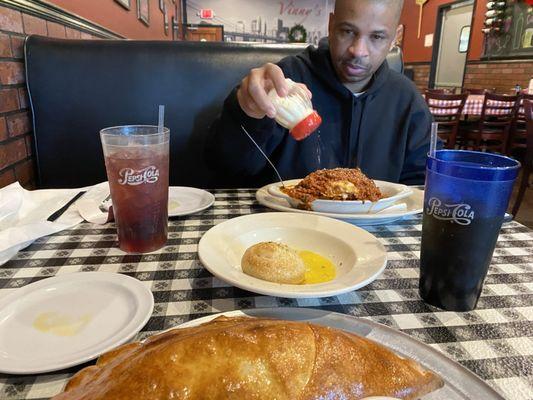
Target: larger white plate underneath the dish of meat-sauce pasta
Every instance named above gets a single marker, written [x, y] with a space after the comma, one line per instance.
[414, 204]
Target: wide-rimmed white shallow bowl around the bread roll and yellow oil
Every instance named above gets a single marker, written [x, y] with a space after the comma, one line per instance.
[357, 255]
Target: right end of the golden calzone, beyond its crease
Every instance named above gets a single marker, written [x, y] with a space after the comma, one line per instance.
[361, 368]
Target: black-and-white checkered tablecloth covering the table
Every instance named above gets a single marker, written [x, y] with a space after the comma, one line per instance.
[494, 341]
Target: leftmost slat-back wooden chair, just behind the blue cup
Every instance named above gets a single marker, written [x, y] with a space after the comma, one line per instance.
[446, 110]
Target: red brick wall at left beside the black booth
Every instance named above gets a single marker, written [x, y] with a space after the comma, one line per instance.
[16, 160]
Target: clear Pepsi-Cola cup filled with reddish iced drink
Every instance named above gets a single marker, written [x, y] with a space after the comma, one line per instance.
[136, 159]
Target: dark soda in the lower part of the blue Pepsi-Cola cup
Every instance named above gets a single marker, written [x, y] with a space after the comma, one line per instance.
[454, 260]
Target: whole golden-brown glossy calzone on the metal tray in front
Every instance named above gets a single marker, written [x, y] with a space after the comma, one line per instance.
[251, 358]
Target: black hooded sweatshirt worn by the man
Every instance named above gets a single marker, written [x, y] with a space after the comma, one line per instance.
[385, 131]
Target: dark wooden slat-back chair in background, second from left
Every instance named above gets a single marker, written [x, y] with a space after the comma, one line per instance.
[491, 131]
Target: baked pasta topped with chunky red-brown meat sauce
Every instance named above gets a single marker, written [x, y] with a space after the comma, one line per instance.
[334, 184]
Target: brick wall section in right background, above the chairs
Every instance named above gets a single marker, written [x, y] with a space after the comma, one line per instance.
[502, 76]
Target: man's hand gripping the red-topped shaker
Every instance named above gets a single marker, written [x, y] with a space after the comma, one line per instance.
[253, 92]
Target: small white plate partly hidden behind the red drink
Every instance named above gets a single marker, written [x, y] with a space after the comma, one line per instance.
[184, 200]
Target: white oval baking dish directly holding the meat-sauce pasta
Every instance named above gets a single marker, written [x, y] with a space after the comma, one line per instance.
[392, 192]
